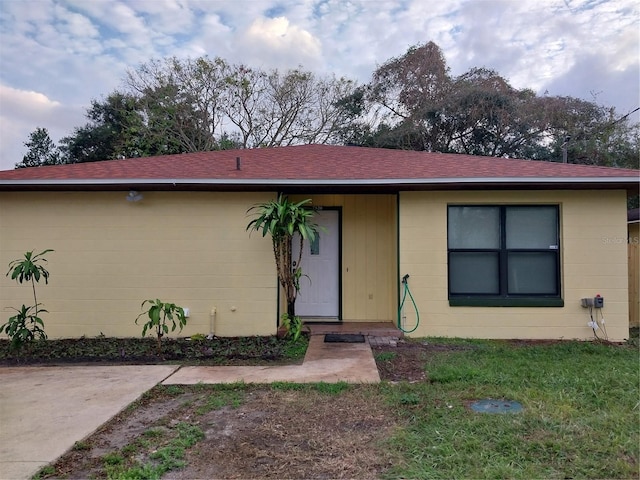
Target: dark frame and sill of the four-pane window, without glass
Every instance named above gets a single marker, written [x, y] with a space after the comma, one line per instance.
[504, 298]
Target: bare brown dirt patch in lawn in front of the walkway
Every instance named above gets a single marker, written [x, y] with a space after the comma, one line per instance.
[293, 434]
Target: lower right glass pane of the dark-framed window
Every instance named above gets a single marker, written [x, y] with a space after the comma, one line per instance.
[532, 272]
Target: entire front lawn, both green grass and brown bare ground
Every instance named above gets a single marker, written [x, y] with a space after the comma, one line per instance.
[580, 419]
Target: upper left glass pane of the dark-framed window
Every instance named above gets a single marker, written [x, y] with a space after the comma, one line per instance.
[474, 227]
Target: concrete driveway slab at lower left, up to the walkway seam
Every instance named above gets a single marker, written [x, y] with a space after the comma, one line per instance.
[45, 410]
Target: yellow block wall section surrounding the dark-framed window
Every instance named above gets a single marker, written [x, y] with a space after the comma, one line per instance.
[593, 261]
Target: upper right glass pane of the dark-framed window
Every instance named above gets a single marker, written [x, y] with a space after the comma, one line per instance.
[532, 227]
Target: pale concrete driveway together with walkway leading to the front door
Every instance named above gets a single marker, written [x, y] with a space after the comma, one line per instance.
[45, 410]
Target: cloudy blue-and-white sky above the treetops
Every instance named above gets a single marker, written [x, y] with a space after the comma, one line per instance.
[58, 55]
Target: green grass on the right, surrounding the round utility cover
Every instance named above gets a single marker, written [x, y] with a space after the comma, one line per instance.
[580, 418]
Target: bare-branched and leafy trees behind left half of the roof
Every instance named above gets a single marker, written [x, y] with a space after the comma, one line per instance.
[177, 106]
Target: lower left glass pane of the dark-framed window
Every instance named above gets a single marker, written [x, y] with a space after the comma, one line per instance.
[473, 272]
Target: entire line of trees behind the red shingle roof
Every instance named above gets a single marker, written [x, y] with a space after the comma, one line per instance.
[411, 102]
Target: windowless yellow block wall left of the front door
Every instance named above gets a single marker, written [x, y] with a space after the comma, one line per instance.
[190, 248]
